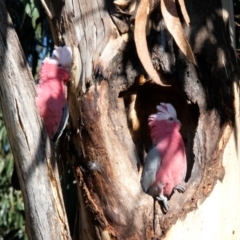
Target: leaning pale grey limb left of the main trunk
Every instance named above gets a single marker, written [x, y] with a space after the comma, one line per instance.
[44, 210]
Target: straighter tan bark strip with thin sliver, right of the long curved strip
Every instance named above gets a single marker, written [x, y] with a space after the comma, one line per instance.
[174, 26]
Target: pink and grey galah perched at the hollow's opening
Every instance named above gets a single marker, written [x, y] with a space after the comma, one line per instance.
[165, 165]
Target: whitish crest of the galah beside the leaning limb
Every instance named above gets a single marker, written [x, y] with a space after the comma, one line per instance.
[63, 56]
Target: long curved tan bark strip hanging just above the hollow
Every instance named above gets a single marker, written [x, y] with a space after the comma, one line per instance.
[141, 41]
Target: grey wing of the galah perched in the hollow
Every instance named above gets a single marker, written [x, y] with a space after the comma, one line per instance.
[150, 168]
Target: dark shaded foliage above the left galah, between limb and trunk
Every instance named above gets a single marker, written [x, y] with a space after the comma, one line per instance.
[31, 25]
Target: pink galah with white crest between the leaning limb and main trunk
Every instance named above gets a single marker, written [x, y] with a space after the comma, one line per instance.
[51, 90]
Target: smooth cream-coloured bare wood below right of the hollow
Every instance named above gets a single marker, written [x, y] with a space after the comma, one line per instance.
[218, 217]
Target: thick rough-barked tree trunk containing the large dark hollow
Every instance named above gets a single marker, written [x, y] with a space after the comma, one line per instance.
[110, 98]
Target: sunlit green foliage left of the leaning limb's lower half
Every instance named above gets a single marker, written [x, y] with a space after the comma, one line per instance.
[11, 207]
